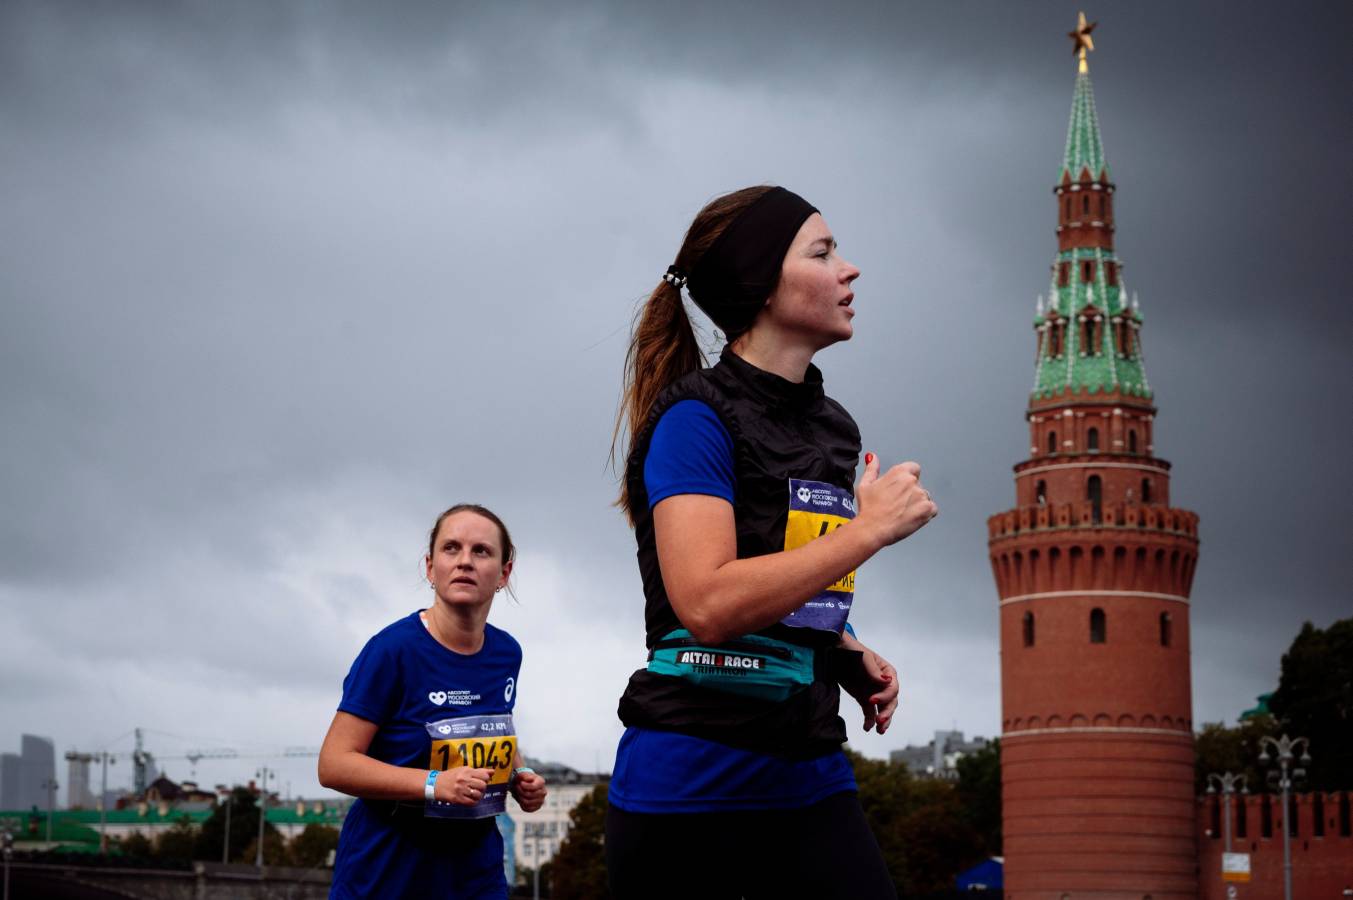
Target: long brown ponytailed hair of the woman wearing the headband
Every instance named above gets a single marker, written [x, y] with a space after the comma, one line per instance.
[662, 344]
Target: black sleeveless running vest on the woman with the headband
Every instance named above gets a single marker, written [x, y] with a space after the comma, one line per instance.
[780, 431]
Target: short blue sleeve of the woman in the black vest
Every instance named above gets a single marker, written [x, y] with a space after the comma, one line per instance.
[691, 454]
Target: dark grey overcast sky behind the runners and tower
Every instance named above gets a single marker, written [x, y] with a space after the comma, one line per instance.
[281, 282]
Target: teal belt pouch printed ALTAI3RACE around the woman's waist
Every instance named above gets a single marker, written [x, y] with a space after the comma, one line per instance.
[753, 667]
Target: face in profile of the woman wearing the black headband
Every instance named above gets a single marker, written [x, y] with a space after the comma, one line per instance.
[814, 298]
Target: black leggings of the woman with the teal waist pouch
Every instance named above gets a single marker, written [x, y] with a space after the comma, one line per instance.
[821, 852]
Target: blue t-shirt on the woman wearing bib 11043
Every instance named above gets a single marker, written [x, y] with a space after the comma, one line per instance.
[401, 681]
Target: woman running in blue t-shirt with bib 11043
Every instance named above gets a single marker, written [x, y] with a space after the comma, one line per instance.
[424, 736]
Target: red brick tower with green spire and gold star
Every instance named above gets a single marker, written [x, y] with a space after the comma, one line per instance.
[1094, 570]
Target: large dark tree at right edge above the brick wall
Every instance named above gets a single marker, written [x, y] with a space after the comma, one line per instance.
[1314, 699]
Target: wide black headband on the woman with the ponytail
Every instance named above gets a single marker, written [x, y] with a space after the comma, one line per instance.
[739, 271]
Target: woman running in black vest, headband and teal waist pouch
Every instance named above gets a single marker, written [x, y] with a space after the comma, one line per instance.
[730, 780]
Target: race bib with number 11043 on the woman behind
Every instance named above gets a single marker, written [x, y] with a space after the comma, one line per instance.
[482, 742]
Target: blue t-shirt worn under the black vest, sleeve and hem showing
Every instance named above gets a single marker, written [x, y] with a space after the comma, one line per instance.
[658, 772]
